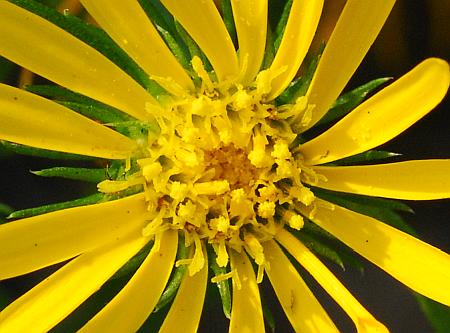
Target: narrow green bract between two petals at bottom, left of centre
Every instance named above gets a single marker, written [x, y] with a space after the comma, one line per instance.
[175, 279]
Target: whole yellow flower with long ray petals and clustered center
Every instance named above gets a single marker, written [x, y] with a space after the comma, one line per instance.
[222, 168]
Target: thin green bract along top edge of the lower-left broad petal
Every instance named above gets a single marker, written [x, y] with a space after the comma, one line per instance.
[89, 200]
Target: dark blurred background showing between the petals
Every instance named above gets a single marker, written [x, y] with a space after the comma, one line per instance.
[415, 30]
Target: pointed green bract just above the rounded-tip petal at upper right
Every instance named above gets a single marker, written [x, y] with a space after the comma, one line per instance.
[347, 102]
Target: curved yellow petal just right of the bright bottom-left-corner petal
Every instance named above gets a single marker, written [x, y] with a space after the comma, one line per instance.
[127, 311]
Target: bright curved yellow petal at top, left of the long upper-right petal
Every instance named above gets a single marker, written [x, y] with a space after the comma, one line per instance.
[298, 34]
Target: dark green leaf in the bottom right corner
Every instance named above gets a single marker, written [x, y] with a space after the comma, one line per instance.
[437, 314]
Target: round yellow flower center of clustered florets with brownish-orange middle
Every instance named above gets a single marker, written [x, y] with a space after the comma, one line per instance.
[221, 170]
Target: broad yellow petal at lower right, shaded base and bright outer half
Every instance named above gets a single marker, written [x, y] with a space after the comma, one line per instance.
[418, 265]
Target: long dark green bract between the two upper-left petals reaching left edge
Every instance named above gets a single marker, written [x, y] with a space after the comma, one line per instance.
[79, 103]
